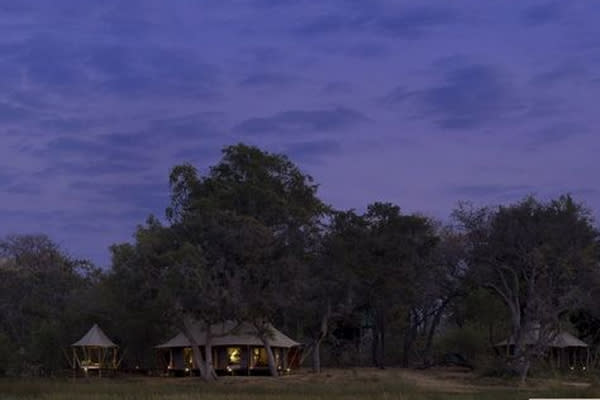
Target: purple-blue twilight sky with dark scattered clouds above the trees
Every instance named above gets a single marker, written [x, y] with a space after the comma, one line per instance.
[415, 102]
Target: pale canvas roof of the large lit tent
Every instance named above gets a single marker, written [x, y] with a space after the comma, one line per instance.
[230, 333]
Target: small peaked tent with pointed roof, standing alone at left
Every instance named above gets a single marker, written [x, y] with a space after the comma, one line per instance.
[97, 352]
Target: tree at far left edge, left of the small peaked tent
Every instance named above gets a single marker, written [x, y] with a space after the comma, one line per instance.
[39, 289]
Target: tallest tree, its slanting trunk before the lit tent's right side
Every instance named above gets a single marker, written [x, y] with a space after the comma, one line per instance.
[256, 214]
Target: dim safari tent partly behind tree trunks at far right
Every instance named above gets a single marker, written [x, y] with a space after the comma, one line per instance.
[563, 350]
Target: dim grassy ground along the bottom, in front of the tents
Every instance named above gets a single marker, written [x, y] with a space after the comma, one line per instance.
[334, 384]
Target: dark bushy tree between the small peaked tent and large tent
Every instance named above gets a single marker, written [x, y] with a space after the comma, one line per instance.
[133, 298]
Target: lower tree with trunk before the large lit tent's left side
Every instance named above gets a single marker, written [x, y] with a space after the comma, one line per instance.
[168, 277]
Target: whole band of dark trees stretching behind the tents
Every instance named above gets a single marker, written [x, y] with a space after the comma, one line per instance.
[251, 241]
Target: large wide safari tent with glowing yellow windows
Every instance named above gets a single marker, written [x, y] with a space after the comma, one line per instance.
[236, 350]
